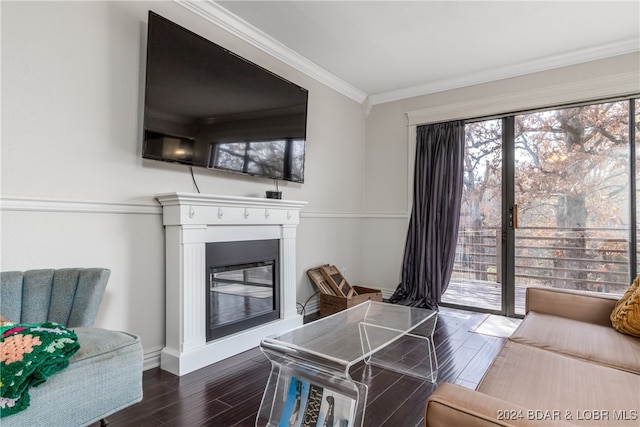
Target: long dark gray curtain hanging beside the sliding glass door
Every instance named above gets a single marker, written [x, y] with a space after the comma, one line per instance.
[433, 227]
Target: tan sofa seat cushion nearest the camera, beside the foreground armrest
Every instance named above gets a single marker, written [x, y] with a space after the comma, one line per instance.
[542, 380]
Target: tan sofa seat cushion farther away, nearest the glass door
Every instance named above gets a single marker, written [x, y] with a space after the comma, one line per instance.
[587, 341]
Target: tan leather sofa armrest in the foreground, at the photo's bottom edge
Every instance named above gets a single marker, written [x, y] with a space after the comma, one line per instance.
[454, 405]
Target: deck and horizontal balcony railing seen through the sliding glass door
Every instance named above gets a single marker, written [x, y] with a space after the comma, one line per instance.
[593, 259]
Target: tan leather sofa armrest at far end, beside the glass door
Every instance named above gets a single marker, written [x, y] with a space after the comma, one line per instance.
[578, 305]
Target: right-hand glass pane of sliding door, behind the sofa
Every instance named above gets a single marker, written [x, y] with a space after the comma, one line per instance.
[571, 188]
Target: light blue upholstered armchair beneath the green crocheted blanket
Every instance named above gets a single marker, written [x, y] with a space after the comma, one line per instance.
[104, 375]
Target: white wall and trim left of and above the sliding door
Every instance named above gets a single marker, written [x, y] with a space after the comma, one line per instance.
[389, 151]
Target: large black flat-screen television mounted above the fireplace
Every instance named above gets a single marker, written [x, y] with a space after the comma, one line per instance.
[206, 106]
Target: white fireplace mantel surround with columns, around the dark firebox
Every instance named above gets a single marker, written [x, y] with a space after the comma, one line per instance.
[191, 221]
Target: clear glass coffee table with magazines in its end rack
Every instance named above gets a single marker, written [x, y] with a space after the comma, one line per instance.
[310, 382]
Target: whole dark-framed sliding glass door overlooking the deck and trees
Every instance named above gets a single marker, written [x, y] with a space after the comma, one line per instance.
[549, 202]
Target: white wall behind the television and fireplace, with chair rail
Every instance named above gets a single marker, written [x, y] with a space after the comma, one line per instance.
[75, 191]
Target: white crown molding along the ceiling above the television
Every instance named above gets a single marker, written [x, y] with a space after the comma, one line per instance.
[240, 28]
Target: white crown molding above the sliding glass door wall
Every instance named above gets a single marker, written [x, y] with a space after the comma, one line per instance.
[542, 64]
